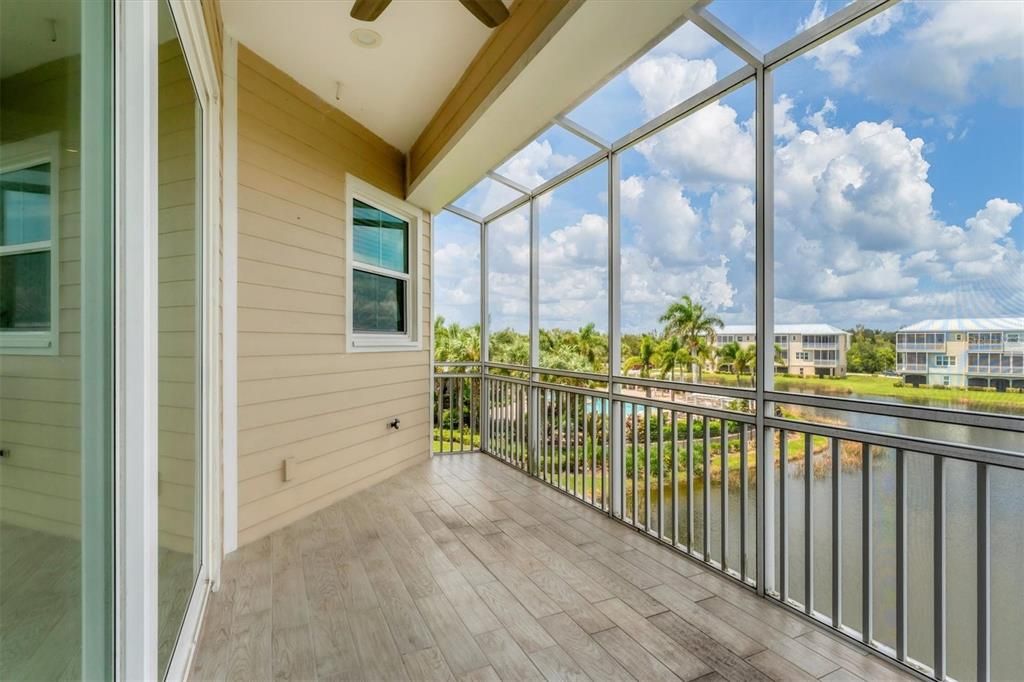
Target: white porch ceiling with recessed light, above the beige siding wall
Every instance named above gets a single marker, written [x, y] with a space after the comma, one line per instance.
[394, 90]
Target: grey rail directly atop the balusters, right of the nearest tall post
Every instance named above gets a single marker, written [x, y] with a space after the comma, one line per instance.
[976, 454]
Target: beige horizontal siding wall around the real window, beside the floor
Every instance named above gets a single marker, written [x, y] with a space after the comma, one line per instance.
[301, 395]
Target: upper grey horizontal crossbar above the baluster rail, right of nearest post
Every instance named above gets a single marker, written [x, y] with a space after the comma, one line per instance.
[943, 415]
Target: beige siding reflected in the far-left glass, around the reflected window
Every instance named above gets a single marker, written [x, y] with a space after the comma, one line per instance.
[40, 396]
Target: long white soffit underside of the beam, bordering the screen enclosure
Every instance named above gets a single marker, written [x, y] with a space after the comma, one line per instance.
[596, 41]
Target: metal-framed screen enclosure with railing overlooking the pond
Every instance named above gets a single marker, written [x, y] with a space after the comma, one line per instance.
[582, 282]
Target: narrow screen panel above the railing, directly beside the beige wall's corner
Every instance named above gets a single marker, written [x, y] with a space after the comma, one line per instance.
[457, 288]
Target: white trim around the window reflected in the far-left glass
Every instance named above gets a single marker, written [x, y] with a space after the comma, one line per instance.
[16, 156]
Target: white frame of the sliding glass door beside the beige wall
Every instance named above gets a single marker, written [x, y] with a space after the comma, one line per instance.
[137, 316]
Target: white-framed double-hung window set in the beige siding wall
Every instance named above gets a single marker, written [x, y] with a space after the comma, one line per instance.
[383, 293]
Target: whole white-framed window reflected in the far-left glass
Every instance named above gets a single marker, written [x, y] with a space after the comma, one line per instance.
[29, 294]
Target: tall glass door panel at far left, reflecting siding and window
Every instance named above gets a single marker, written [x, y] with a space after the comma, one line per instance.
[57, 416]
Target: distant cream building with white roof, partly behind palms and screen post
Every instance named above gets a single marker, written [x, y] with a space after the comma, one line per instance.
[806, 351]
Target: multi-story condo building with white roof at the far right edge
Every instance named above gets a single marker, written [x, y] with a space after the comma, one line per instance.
[986, 352]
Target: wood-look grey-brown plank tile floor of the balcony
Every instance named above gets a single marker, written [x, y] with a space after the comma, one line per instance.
[465, 569]
